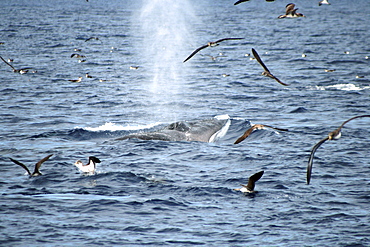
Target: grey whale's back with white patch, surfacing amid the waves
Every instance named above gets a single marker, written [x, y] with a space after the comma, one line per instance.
[206, 130]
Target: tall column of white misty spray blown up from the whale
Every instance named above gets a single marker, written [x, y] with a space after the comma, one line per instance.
[165, 29]
